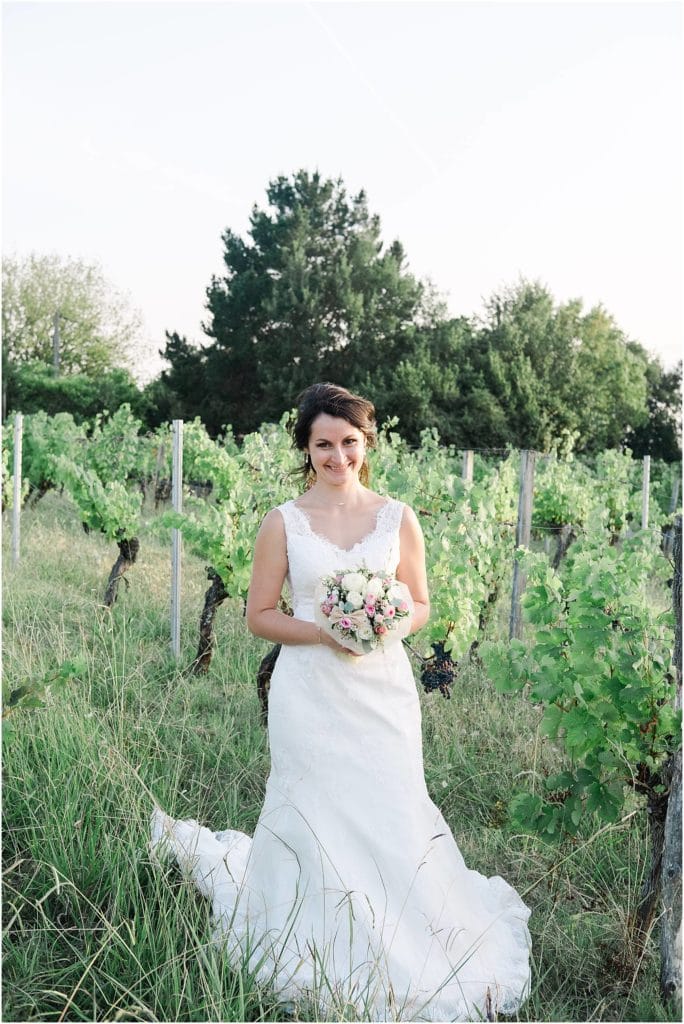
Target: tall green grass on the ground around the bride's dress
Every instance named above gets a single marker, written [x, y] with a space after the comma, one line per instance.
[95, 930]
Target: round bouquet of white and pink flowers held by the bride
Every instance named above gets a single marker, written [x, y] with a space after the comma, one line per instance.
[364, 611]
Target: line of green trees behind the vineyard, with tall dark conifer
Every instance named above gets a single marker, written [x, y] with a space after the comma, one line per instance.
[314, 293]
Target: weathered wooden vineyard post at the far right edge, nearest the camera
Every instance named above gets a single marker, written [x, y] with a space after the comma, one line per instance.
[671, 884]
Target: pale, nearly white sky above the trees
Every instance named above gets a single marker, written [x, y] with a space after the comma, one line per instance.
[494, 140]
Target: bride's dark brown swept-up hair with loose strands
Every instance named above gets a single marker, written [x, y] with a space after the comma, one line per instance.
[338, 402]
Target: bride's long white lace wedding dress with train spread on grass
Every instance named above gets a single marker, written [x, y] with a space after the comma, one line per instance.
[353, 895]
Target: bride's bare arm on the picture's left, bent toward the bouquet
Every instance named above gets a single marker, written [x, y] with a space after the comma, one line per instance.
[269, 571]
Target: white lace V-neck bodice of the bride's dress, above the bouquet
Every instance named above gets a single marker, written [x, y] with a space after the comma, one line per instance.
[312, 557]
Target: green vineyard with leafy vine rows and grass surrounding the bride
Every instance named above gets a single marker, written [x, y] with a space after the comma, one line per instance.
[555, 745]
